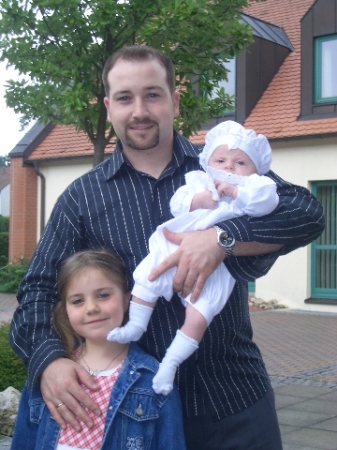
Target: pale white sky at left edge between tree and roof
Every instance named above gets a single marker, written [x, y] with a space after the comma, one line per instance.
[9, 121]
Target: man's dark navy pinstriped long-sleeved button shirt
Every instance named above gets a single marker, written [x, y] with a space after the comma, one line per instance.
[117, 207]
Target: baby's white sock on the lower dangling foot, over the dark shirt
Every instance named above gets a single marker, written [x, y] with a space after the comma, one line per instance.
[181, 348]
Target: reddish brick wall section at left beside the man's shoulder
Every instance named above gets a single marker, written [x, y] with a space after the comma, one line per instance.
[23, 210]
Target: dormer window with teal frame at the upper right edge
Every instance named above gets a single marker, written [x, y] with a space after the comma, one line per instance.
[326, 69]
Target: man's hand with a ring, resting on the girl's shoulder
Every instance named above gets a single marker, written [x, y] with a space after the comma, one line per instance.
[60, 385]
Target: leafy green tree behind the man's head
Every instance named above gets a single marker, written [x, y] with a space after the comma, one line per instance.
[59, 48]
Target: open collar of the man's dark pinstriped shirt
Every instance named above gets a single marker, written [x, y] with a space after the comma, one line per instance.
[182, 148]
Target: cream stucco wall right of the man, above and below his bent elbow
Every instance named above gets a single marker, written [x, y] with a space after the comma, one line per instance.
[299, 162]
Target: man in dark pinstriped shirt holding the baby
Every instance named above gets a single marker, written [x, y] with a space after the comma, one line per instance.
[226, 395]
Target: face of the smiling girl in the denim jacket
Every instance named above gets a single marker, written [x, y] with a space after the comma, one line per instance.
[95, 304]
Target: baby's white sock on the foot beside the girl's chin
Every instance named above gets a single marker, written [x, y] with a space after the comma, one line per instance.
[139, 317]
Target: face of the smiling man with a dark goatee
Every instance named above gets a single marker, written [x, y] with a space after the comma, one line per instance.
[140, 105]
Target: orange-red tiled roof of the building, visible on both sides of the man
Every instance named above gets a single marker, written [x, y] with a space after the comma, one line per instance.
[276, 113]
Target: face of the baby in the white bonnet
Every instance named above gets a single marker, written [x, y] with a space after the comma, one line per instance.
[233, 160]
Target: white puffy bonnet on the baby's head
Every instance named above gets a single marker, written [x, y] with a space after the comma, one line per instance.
[235, 135]
